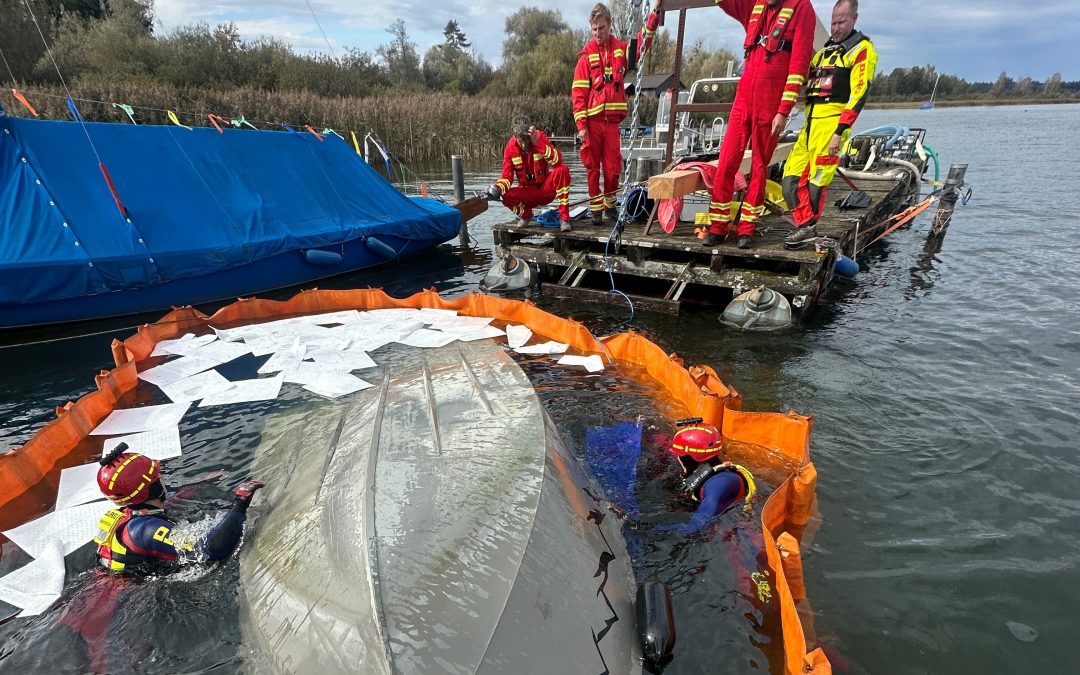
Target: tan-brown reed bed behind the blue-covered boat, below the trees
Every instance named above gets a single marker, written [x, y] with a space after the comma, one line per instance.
[415, 127]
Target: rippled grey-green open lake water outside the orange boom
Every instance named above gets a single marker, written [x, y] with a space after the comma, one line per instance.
[946, 388]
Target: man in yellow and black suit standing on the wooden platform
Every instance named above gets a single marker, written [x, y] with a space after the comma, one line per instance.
[841, 75]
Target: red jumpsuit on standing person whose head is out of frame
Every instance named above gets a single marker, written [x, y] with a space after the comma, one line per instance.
[775, 70]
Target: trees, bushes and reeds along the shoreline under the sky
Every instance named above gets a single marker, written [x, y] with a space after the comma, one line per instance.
[107, 50]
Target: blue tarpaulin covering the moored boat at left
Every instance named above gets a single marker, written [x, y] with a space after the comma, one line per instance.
[200, 202]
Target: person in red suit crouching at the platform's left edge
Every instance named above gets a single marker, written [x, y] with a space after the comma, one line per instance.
[537, 167]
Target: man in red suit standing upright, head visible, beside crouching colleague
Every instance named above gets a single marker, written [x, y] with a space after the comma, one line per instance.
[600, 104]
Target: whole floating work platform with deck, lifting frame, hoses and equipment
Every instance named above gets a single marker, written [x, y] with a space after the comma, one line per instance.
[666, 272]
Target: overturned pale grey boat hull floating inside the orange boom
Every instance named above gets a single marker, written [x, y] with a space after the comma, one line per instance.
[436, 524]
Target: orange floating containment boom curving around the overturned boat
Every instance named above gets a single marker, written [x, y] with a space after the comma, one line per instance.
[29, 476]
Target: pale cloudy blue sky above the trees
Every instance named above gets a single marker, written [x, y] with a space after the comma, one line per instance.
[975, 40]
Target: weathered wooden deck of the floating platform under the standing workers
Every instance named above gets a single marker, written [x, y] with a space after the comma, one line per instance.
[663, 272]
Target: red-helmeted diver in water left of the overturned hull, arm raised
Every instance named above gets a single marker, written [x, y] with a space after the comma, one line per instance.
[138, 536]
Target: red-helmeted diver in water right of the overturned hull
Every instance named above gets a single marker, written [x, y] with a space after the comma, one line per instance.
[714, 484]
